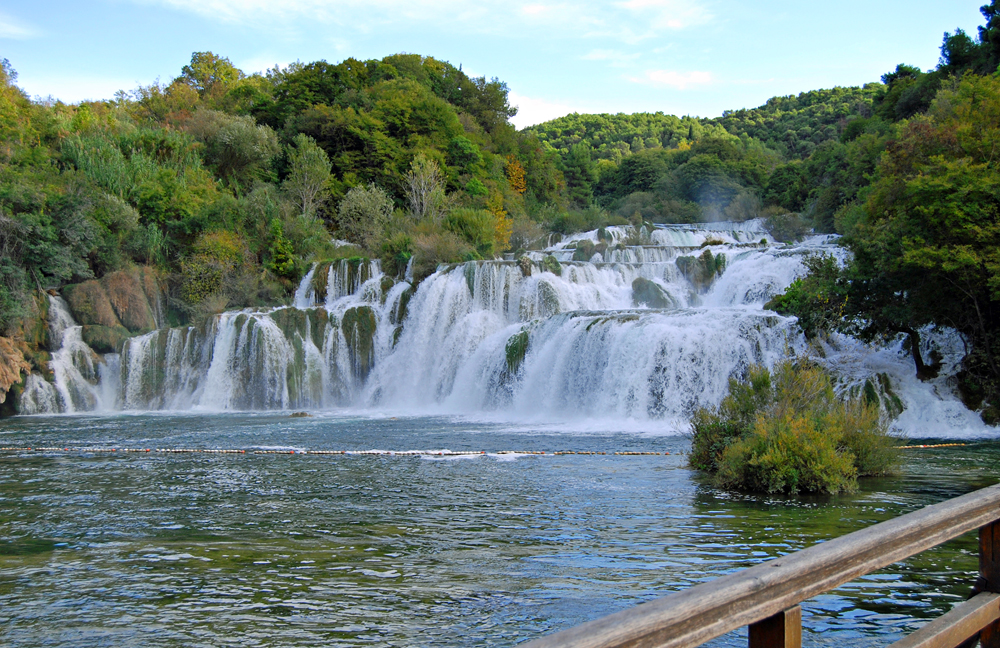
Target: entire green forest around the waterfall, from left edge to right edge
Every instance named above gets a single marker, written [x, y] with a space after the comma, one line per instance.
[224, 187]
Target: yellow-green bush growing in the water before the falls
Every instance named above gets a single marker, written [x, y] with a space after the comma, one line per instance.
[787, 432]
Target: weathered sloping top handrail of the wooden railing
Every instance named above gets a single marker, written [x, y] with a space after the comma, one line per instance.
[693, 616]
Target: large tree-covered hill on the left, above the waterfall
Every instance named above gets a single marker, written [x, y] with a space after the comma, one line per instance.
[230, 185]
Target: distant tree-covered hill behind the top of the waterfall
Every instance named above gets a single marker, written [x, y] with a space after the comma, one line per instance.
[788, 154]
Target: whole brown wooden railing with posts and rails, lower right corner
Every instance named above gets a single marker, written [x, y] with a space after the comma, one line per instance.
[766, 597]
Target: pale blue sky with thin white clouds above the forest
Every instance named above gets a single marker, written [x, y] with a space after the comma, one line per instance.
[696, 57]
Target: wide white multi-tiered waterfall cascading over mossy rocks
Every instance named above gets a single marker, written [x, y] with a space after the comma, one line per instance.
[652, 325]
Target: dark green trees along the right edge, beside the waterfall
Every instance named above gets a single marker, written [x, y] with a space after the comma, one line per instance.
[919, 184]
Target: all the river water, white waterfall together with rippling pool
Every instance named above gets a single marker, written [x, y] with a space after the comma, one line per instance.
[555, 352]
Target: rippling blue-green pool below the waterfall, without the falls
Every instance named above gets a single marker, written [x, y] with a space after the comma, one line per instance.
[296, 550]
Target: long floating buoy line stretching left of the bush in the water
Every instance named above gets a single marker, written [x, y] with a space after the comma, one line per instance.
[383, 453]
